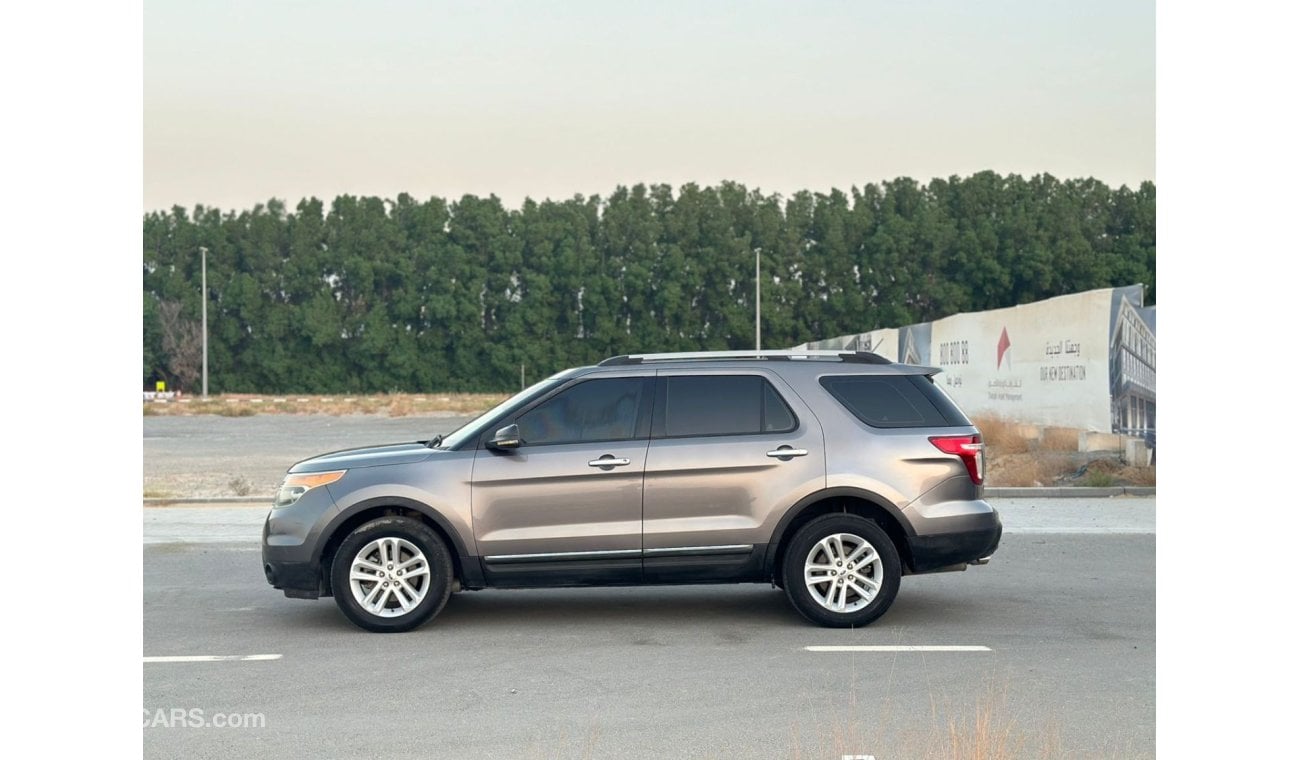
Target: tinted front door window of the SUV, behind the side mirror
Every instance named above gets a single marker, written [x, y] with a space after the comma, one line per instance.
[592, 411]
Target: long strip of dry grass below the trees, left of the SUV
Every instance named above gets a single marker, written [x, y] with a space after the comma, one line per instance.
[389, 405]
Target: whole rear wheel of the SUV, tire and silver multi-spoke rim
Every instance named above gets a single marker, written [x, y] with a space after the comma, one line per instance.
[842, 571]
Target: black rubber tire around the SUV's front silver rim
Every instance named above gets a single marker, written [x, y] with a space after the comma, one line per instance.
[439, 579]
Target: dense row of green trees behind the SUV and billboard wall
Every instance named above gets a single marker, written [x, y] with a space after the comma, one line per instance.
[380, 296]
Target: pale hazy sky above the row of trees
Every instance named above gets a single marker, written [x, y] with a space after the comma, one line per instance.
[249, 101]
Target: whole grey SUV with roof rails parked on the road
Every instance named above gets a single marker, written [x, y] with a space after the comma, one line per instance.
[830, 475]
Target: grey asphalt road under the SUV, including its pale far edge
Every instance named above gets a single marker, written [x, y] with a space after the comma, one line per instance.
[1067, 611]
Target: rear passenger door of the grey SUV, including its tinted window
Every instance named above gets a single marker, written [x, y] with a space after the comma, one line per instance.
[730, 453]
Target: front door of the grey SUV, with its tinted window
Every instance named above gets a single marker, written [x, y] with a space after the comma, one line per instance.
[565, 507]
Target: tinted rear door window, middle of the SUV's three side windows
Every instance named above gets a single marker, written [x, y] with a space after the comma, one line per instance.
[721, 406]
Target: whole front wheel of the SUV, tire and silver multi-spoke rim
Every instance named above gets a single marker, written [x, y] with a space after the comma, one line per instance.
[392, 575]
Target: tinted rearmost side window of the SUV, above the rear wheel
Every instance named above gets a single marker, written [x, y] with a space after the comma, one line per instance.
[895, 401]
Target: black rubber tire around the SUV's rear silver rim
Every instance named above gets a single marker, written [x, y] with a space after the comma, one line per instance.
[887, 574]
